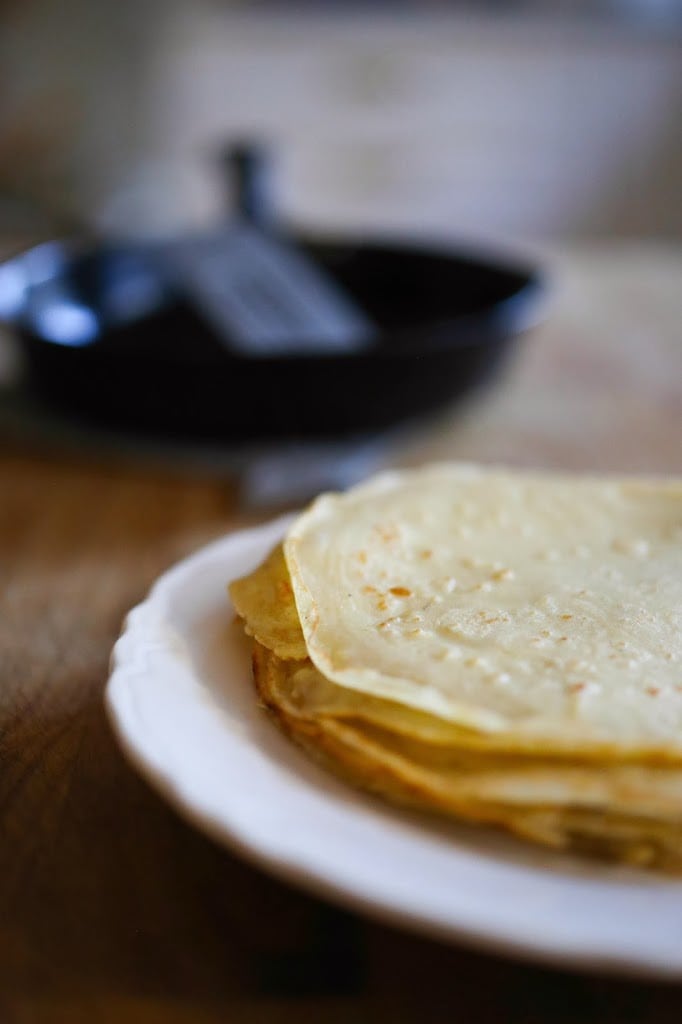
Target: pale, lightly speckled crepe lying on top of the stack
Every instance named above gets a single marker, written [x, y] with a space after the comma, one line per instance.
[543, 608]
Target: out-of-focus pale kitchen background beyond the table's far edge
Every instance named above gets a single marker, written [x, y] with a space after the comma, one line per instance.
[539, 120]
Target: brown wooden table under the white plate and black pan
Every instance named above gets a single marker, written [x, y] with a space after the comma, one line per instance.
[114, 910]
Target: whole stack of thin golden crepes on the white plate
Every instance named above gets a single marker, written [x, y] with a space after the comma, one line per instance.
[498, 646]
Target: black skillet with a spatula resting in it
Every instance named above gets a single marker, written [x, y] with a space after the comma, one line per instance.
[108, 342]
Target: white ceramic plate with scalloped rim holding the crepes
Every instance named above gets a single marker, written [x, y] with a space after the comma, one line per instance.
[182, 701]
